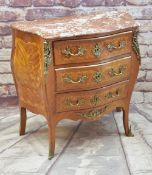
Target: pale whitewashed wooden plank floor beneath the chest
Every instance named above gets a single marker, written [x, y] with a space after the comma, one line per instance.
[82, 148]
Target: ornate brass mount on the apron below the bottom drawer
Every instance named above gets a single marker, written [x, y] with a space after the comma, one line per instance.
[94, 113]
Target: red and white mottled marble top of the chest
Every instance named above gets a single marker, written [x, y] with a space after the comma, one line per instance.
[77, 25]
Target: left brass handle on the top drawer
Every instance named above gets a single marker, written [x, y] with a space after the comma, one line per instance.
[68, 53]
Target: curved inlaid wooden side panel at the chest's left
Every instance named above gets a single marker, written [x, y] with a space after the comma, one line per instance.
[27, 65]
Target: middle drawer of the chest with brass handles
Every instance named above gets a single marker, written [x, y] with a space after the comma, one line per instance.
[92, 76]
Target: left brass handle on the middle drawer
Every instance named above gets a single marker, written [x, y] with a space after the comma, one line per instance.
[81, 79]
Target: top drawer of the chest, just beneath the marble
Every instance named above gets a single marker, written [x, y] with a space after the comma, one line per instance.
[94, 49]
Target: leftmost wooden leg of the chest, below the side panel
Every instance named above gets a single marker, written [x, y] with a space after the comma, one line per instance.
[22, 120]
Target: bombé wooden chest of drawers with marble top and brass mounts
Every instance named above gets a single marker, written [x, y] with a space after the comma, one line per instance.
[77, 67]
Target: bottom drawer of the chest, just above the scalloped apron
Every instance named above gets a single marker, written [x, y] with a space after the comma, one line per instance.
[74, 101]
